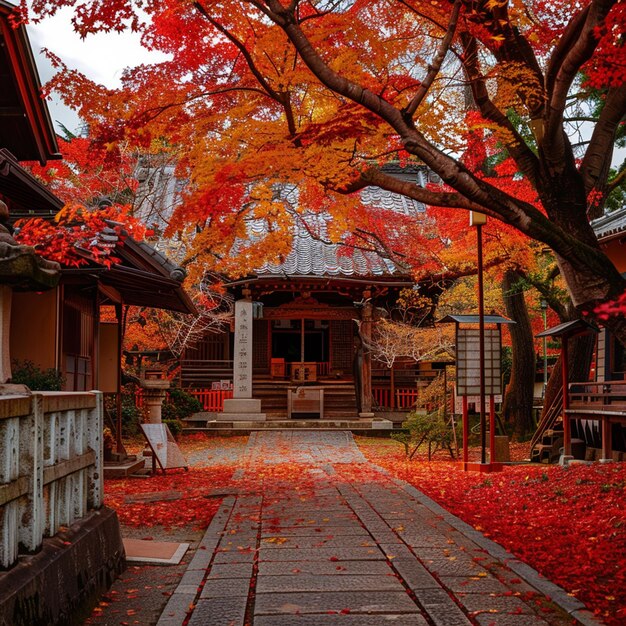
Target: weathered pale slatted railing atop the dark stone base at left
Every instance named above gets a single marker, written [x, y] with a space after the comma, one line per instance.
[51, 466]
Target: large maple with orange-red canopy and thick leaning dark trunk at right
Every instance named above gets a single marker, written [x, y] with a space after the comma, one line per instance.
[317, 93]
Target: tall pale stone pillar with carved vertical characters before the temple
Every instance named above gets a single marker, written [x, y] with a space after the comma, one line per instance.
[242, 406]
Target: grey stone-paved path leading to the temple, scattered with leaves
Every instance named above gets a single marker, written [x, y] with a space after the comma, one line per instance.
[313, 548]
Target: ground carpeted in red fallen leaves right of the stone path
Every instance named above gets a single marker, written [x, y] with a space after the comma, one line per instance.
[568, 523]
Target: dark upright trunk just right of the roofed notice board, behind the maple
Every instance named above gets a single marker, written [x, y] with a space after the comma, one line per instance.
[518, 400]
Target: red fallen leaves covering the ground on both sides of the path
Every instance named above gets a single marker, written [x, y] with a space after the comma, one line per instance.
[569, 524]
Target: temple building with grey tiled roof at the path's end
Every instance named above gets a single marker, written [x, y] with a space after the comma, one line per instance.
[312, 317]
